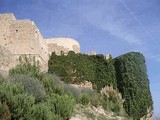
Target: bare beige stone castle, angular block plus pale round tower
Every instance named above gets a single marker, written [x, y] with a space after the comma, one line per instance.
[19, 38]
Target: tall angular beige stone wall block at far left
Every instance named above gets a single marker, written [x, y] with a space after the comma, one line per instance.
[22, 37]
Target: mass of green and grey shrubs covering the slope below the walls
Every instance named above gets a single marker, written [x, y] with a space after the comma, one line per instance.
[29, 94]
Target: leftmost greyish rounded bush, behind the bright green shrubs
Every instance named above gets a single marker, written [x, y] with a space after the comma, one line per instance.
[31, 85]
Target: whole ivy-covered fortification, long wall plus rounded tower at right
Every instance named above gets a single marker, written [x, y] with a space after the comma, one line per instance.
[126, 73]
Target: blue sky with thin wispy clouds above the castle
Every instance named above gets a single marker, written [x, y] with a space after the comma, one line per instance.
[105, 26]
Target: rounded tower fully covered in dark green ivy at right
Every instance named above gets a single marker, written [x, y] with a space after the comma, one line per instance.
[133, 83]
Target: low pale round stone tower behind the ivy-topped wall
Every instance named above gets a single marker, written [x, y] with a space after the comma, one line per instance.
[62, 44]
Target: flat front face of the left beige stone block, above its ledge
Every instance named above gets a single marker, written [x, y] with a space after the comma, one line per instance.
[22, 38]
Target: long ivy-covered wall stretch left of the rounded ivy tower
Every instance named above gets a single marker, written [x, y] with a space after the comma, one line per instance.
[76, 68]
